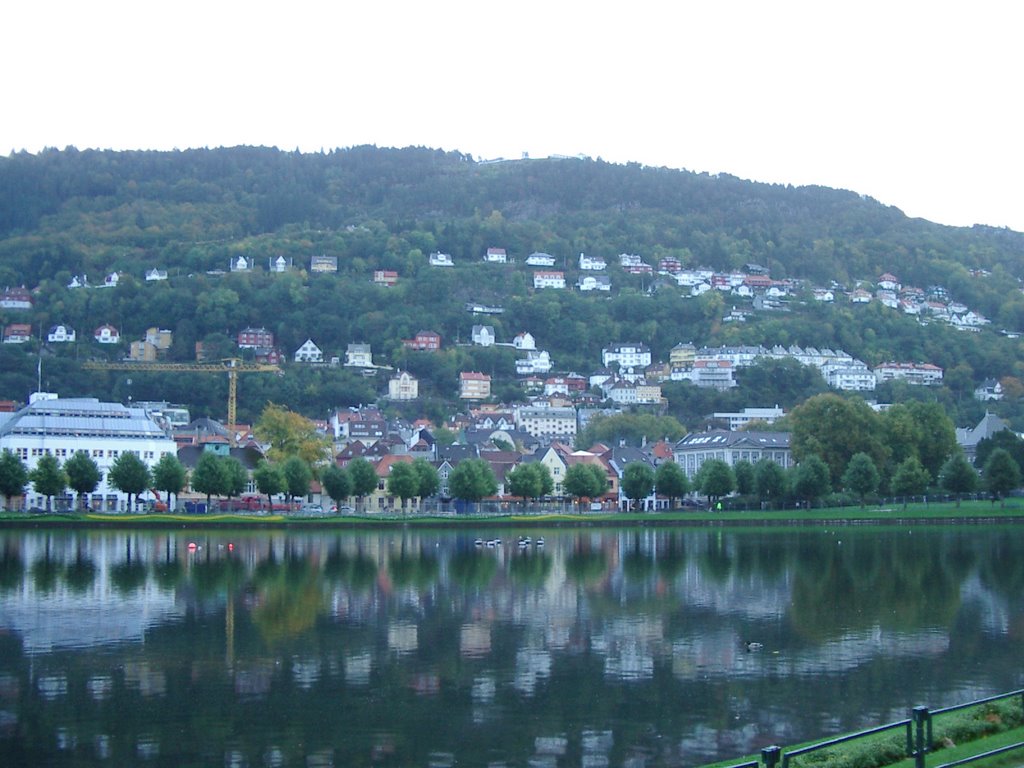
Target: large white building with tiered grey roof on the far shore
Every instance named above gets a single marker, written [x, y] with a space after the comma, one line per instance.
[61, 428]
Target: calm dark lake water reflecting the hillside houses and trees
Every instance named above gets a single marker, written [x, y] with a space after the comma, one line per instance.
[601, 649]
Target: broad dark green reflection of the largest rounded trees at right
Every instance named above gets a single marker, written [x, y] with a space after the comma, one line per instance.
[867, 581]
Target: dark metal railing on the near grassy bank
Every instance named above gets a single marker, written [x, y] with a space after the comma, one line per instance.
[920, 738]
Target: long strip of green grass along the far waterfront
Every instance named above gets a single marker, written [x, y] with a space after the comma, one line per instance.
[968, 513]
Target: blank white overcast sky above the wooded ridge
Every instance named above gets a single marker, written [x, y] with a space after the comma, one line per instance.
[916, 105]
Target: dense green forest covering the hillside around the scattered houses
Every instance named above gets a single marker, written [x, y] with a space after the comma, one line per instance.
[69, 214]
